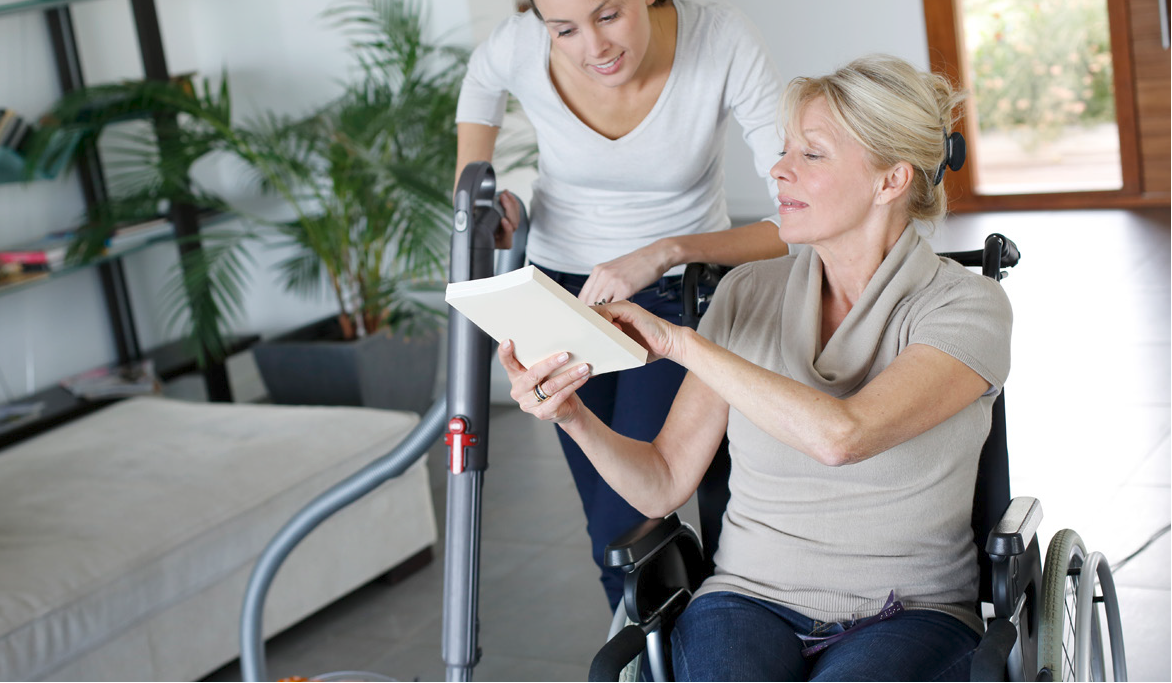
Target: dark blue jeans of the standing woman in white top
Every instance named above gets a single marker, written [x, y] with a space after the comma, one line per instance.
[633, 404]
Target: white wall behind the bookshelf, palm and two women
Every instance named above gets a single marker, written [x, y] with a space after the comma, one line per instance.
[281, 56]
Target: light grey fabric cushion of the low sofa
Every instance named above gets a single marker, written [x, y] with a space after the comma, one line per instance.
[114, 518]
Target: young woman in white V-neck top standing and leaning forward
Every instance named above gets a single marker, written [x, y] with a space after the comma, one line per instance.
[631, 101]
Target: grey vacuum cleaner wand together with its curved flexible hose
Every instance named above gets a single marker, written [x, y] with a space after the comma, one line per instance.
[468, 360]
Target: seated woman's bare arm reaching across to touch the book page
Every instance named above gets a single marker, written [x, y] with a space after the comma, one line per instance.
[921, 390]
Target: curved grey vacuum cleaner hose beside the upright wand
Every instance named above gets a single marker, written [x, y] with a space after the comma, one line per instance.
[393, 465]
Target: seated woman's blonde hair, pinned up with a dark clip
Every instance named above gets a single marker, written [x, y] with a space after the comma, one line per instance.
[897, 113]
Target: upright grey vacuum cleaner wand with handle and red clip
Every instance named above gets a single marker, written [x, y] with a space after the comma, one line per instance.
[469, 358]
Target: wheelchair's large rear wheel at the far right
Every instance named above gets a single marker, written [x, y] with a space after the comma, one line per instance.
[1071, 644]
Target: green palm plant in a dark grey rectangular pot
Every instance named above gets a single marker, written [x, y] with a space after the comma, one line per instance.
[370, 180]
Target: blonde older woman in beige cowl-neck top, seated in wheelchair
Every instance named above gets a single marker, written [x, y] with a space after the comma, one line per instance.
[855, 380]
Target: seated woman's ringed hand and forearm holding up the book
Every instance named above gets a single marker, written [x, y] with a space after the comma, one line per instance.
[657, 477]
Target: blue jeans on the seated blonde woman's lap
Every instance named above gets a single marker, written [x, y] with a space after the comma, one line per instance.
[727, 637]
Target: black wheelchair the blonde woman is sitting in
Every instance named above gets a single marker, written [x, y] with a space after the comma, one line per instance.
[1046, 623]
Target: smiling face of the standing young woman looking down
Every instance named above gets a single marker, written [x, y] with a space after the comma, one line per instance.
[608, 40]
